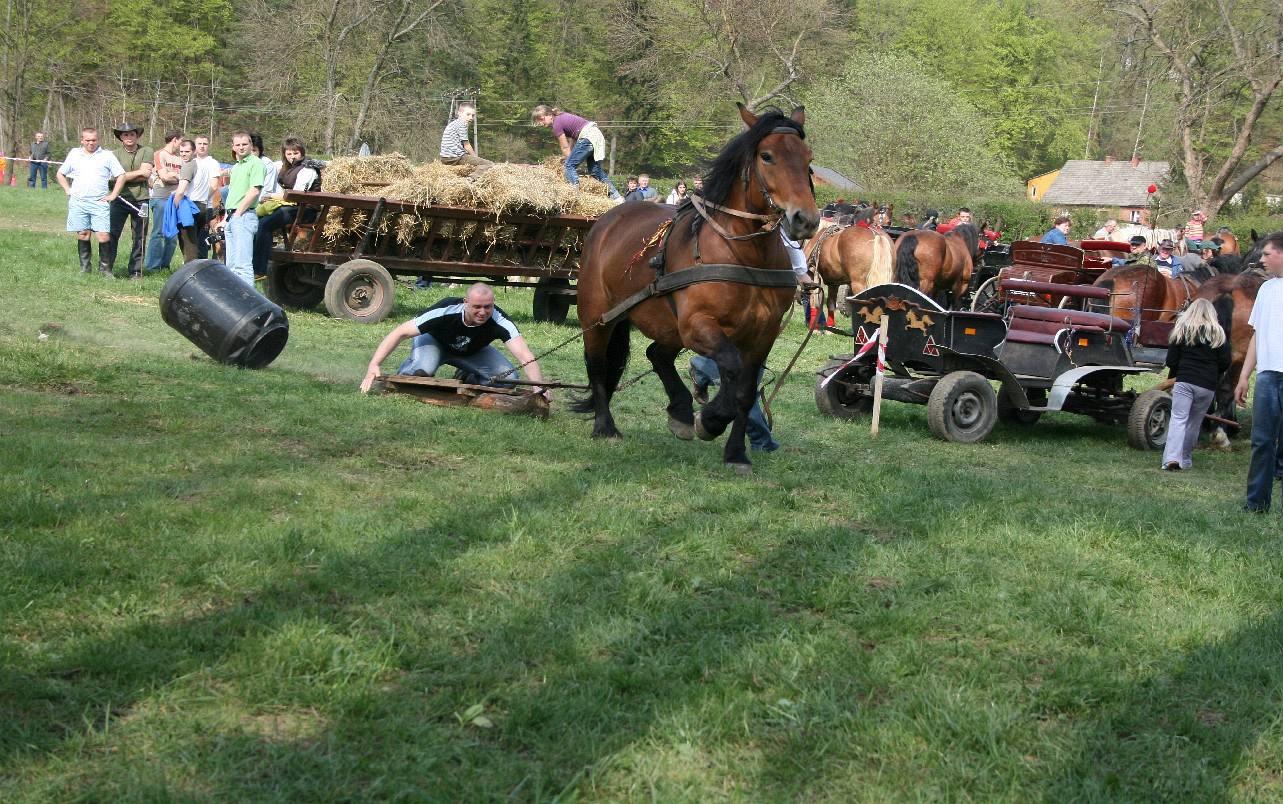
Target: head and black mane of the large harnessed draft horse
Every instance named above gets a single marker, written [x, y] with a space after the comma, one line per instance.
[772, 162]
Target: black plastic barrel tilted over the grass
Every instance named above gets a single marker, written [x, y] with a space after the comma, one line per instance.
[229, 320]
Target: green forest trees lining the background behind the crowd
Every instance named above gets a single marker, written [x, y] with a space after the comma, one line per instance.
[967, 98]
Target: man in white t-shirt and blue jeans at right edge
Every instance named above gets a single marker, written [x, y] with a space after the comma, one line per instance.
[1266, 353]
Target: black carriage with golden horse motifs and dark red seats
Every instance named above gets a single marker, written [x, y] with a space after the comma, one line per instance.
[1044, 358]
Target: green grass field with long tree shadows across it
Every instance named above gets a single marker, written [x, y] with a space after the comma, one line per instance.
[232, 585]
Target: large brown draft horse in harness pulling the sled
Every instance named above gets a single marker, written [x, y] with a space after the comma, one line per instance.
[761, 176]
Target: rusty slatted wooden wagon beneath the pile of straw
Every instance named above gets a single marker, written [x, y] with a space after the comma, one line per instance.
[343, 251]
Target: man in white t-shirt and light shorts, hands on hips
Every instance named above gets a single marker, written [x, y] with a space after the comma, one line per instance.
[92, 171]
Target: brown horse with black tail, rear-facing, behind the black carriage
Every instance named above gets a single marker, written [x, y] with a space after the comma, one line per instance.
[939, 265]
